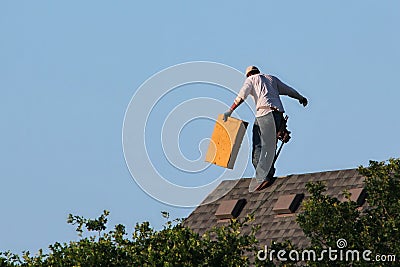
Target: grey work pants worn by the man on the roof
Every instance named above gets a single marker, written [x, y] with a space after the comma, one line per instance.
[265, 129]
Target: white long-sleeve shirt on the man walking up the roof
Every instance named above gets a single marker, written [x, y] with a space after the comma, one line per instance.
[265, 90]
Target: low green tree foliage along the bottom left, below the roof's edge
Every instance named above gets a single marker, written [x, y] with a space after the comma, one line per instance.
[174, 245]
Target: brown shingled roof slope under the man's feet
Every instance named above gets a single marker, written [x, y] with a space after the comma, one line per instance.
[276, 220]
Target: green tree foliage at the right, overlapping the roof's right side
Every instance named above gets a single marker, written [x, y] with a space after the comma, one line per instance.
[325, 219]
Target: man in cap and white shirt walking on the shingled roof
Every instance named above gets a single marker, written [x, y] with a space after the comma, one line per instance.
[265, 90]
